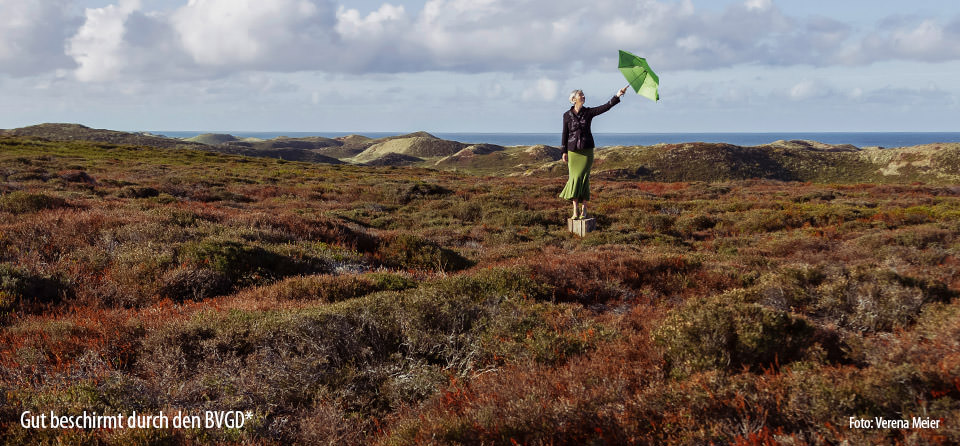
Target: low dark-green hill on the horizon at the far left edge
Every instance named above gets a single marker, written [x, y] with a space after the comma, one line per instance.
[77, 132]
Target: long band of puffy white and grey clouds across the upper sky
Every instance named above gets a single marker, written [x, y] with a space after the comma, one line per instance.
[211, 38]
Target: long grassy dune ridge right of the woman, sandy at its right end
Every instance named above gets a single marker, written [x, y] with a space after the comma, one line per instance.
[794, 161]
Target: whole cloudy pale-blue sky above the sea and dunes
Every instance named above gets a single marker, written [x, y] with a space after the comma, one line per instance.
[479, 65]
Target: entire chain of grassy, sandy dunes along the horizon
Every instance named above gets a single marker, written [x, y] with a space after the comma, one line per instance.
[795, 160]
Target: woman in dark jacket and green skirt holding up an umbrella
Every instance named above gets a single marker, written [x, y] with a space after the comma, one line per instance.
[578, 149]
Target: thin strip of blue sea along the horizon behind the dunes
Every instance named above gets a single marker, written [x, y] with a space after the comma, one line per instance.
[859, 139]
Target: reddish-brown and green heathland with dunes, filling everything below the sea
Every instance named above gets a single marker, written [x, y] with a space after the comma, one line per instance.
[413, 290]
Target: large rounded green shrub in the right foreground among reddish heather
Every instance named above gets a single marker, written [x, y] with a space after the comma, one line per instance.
[726, 334]
